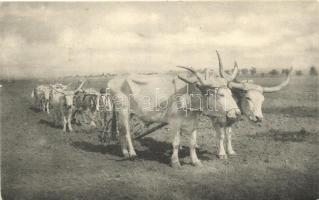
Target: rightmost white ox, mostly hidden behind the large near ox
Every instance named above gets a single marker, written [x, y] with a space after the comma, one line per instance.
[249, 97]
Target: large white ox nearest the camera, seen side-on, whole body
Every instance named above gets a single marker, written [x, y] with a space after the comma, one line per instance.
[173, 100]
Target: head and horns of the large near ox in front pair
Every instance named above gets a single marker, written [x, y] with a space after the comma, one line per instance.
[216, 95]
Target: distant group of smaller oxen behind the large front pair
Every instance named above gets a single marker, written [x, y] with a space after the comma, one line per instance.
[79, 105]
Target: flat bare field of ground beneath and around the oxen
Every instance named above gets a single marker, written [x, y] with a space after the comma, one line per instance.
[279, 160]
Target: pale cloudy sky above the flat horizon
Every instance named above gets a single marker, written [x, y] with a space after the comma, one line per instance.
[54, 39]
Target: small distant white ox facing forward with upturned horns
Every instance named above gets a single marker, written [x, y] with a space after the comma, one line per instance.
[62, 102]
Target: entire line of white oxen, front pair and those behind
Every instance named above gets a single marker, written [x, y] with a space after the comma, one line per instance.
[175, 100]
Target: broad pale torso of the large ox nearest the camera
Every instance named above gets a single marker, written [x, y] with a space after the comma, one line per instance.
[156, 98]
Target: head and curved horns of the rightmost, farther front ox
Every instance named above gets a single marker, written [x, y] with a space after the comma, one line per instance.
[250, 96]
